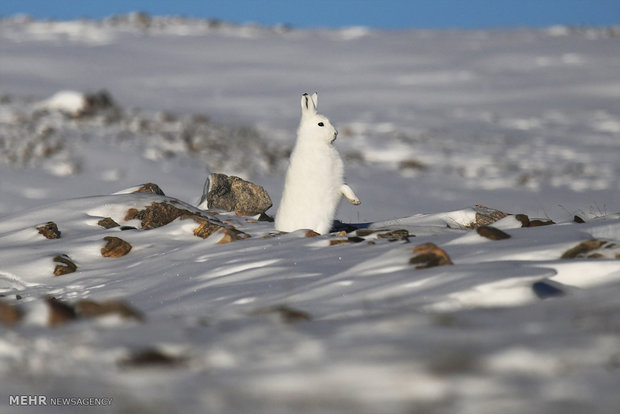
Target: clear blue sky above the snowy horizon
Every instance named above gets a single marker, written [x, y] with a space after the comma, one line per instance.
[387, 14]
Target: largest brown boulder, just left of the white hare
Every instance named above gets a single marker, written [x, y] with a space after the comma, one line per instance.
[231, 193]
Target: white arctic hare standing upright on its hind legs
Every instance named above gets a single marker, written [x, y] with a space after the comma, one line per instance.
[315, 177]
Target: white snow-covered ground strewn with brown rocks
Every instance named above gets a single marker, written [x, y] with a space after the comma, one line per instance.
[431, 124]
